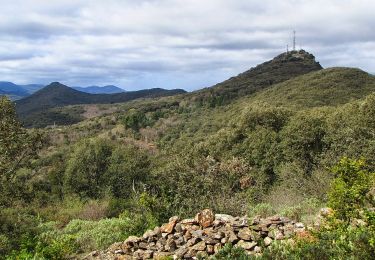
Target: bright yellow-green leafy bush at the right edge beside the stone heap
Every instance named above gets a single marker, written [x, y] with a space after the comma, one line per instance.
[349, 190]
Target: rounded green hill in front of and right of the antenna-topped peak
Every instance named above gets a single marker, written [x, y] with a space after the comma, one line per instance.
[328, 87]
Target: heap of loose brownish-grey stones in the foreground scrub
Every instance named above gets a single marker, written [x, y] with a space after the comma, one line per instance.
[204, 235]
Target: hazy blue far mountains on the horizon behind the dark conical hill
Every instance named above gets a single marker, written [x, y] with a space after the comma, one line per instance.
[16, 92]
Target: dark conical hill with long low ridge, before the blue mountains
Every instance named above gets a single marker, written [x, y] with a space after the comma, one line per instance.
[58, 95]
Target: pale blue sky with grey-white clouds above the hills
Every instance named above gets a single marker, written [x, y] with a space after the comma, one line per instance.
[187, 44]
